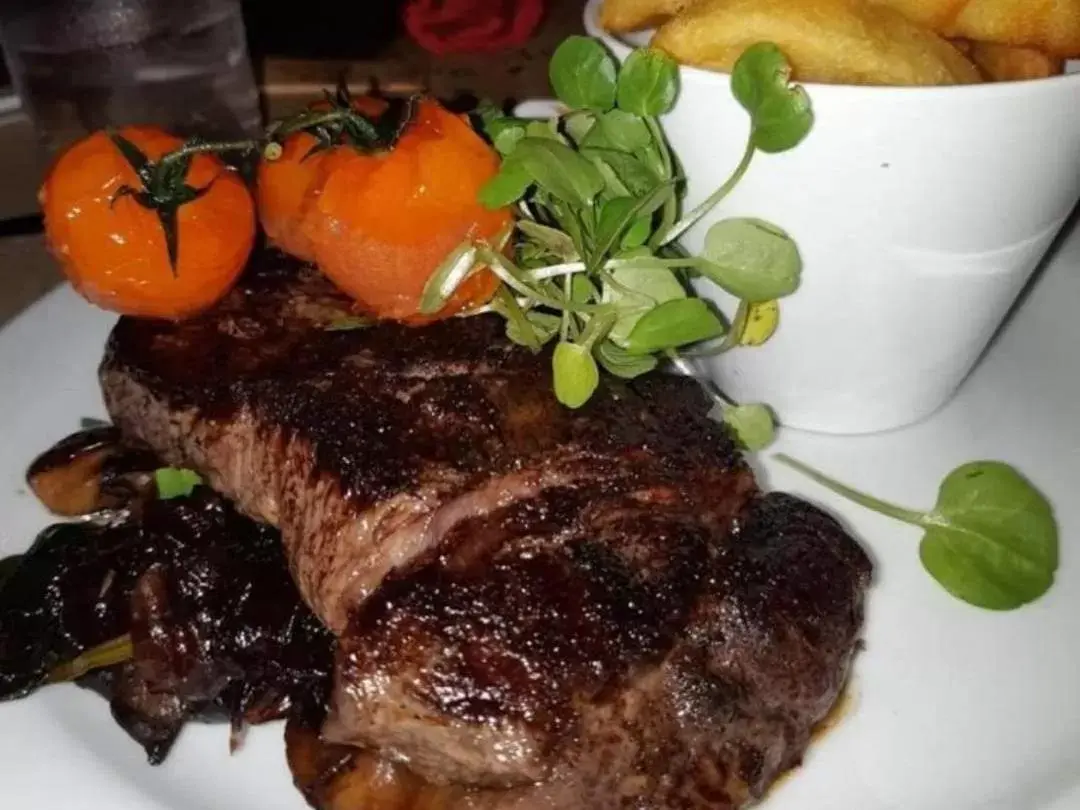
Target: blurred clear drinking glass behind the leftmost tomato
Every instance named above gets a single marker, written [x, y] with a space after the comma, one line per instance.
[84, 65]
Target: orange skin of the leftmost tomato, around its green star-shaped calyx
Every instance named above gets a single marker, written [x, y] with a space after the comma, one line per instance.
[114, 250]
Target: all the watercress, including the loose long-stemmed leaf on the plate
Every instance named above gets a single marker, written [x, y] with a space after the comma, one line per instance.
[596, 266]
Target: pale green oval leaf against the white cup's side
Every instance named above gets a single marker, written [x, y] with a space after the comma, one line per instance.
[752, 260]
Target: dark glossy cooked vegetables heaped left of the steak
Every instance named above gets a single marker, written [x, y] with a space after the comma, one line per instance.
[220, 631]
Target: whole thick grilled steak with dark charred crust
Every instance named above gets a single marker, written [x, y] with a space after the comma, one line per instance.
[512, 583]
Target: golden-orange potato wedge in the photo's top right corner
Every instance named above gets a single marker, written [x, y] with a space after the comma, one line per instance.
[1052, 26]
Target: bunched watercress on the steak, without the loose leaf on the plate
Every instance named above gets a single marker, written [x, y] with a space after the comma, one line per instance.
[596, 266]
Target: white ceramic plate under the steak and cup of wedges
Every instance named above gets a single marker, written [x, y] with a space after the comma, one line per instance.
[951, 708]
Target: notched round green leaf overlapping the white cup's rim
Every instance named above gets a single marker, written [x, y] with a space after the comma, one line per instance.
[780, 113]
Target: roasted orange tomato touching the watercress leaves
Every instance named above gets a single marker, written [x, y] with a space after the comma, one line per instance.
[379, 225]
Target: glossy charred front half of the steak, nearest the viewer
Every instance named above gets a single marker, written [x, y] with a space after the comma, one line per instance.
[596, 631]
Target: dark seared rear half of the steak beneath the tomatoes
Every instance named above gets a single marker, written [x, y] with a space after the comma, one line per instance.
[352, 441]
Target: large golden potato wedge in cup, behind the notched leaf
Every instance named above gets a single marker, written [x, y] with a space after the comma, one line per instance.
[832, 42]
